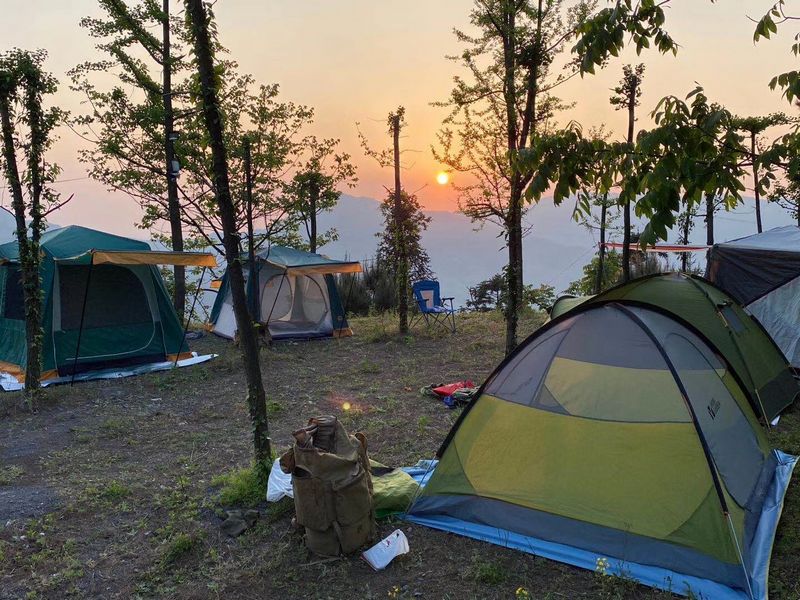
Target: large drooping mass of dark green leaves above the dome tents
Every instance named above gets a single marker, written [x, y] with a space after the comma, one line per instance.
[694, 151]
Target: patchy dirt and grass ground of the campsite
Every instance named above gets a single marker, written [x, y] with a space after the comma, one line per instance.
[106, 490]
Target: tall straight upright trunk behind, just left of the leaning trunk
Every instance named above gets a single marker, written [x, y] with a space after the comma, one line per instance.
[174, 208]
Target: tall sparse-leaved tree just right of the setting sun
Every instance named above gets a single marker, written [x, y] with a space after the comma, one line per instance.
[502, 105]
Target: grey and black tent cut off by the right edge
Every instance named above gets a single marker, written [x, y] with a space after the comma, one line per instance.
[762, 272]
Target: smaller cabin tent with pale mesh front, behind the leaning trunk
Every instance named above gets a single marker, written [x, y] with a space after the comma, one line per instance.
[294, 292]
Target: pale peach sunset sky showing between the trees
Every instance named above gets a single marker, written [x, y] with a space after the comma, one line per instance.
[355, 60]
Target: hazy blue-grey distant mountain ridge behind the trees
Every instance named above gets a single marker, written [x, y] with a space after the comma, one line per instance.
[463, 254]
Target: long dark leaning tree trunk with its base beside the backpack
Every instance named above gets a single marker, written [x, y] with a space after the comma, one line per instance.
[256, 398]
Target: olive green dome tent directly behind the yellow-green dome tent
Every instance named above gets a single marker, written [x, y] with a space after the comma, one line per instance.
[755, 360]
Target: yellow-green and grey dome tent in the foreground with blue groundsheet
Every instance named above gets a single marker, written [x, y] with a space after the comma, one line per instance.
[617, 437]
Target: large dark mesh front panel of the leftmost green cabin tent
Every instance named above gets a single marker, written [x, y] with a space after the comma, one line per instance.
[116, 297]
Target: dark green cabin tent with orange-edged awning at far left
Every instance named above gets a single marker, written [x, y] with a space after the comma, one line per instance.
[125, 319]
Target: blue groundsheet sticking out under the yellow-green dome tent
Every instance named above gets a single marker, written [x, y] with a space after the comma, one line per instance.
[648, 575]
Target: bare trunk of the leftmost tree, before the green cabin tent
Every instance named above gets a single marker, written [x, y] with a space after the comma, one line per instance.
[28, 255]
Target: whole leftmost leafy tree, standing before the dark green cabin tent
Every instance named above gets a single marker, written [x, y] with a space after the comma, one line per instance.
[26, 128]
